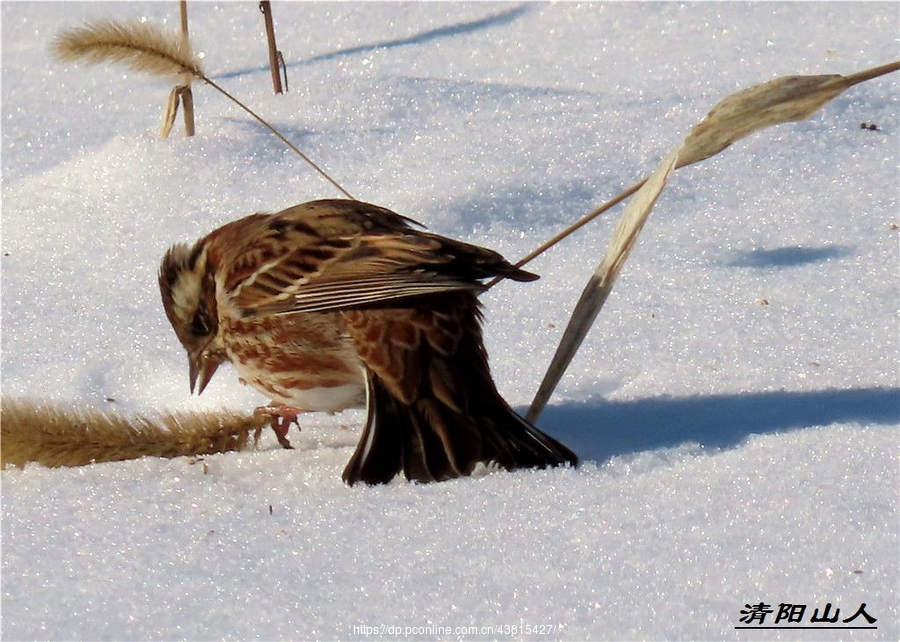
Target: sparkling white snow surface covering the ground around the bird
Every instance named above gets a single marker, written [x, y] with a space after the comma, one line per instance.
[735, 452]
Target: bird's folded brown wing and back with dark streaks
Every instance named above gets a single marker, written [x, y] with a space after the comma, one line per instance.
[341, 254]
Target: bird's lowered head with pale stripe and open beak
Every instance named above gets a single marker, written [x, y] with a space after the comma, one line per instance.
[188, 289]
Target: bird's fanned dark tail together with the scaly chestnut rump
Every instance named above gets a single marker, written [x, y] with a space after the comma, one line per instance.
[434, 411]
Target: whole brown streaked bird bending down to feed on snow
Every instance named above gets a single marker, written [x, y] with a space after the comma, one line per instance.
[339, 304]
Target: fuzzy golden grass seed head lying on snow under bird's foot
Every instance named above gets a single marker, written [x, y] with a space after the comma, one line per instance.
[55, 435]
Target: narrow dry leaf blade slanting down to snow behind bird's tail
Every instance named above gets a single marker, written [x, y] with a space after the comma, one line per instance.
[601, 282]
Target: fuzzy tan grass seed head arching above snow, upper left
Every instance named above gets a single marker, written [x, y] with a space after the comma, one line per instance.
[140, 45]
